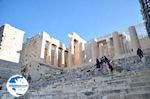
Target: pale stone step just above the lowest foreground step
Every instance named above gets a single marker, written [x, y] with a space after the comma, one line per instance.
[97, 88]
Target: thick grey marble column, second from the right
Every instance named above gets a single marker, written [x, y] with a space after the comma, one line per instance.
[117, 44]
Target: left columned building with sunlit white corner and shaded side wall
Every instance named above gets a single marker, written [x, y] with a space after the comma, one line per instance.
[42, 48]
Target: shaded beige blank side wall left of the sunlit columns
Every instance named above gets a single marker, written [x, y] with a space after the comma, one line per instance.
[31, 50]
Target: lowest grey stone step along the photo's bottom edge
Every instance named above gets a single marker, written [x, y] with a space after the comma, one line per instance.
[91, 95]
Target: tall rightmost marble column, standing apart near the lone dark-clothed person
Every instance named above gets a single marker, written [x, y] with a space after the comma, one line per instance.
[135, 43]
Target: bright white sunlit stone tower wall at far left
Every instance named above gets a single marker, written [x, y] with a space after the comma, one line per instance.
[11, 40]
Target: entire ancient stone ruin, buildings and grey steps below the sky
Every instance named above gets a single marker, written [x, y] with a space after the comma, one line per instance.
[69, 72]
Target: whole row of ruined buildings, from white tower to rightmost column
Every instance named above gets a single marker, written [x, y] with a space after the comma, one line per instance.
[47, 50]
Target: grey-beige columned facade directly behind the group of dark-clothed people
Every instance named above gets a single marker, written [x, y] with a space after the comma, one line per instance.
[111, 46]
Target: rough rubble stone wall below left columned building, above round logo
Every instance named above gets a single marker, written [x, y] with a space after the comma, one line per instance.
[40, 71]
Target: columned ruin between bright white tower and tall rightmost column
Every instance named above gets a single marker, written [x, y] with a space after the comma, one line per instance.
[44, 49]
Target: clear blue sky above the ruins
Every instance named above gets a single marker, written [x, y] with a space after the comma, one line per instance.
[89, 18]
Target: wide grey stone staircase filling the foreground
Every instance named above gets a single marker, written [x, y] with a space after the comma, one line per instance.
[125, 85]
